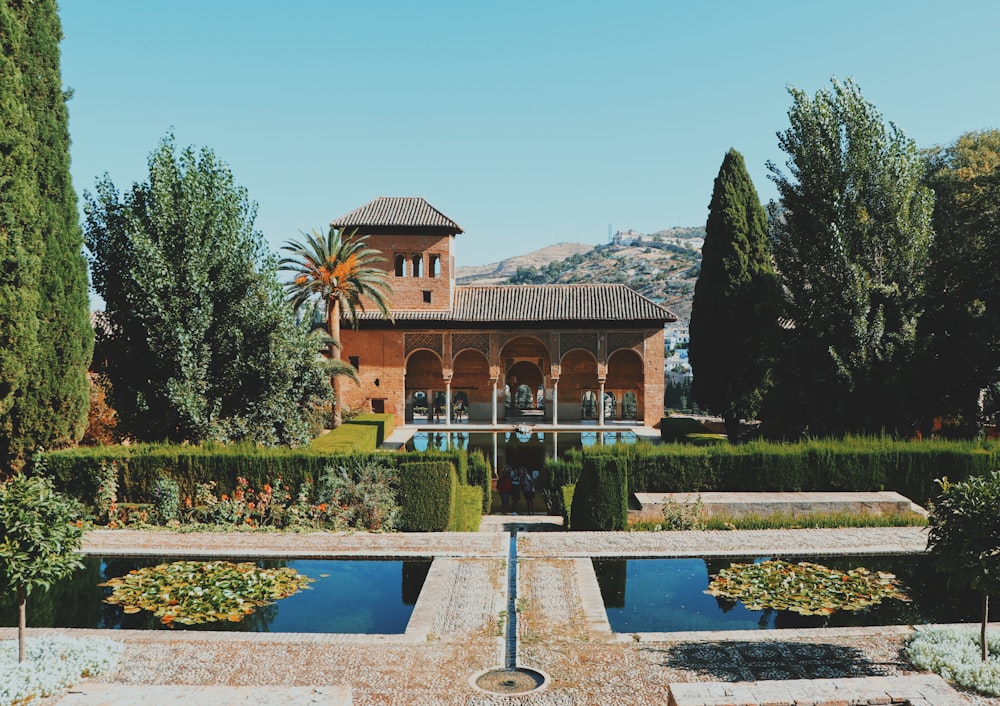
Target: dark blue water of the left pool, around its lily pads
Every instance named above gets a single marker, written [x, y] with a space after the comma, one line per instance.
[347, 596]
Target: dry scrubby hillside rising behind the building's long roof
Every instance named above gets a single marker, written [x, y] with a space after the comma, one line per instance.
[662, 266]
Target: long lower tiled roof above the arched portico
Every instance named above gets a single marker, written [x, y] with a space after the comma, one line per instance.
[543, 303]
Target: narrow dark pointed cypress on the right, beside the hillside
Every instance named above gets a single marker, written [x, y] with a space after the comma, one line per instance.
[734, 313]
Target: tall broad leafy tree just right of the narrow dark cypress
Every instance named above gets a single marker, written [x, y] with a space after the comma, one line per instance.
[850, 239]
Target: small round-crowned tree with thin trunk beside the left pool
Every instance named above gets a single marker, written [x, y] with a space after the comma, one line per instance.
[40, 540]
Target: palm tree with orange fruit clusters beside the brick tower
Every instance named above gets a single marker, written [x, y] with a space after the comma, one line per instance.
[341, 272]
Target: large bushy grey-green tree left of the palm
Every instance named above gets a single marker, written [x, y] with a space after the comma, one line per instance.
[199, 343]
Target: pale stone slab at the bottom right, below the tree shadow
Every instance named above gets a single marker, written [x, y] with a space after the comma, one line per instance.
[909, 690]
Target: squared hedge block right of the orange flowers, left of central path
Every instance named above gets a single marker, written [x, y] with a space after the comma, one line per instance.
[427, 492]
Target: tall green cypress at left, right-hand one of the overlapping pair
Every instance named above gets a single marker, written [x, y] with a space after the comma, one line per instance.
[52, 411]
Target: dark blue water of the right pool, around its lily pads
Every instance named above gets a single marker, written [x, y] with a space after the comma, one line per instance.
[667, 595]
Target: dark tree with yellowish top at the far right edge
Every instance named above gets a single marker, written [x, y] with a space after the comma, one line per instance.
[962, 320]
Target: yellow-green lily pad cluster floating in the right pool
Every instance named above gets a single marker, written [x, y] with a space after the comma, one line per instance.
[805, 588]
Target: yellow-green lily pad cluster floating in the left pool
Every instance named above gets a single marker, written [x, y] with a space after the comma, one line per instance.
[192, 592]
